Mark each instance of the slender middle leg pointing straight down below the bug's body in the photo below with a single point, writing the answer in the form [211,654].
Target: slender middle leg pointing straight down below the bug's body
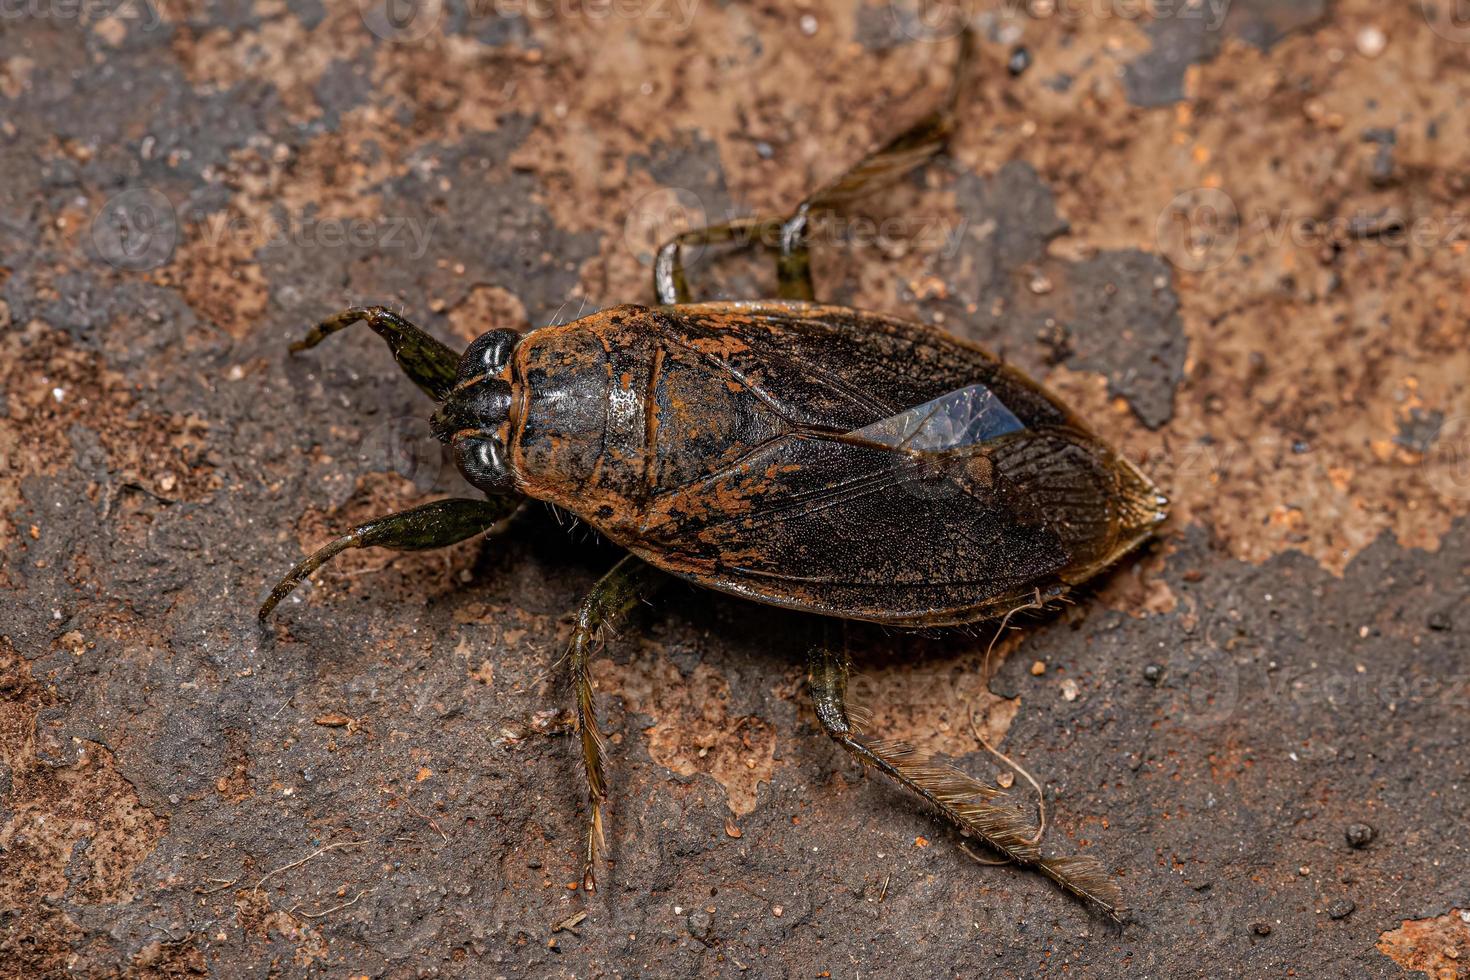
[615,596]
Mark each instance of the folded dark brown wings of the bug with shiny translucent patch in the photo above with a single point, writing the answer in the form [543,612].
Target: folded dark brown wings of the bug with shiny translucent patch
[828,493]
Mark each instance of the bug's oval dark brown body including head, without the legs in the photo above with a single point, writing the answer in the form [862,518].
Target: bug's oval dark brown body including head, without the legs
[806,456]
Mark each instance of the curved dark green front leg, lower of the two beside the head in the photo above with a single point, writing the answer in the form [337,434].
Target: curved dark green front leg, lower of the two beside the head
[437,525]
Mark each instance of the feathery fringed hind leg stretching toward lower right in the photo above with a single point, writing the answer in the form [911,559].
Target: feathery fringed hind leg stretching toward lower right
[974,807]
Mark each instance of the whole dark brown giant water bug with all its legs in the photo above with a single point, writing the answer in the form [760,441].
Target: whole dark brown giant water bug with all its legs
[806,456]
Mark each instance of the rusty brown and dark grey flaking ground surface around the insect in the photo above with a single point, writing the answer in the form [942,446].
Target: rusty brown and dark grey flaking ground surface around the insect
[1234,236]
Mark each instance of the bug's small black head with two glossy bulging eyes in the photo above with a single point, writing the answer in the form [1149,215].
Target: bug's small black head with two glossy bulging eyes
[474,419]
